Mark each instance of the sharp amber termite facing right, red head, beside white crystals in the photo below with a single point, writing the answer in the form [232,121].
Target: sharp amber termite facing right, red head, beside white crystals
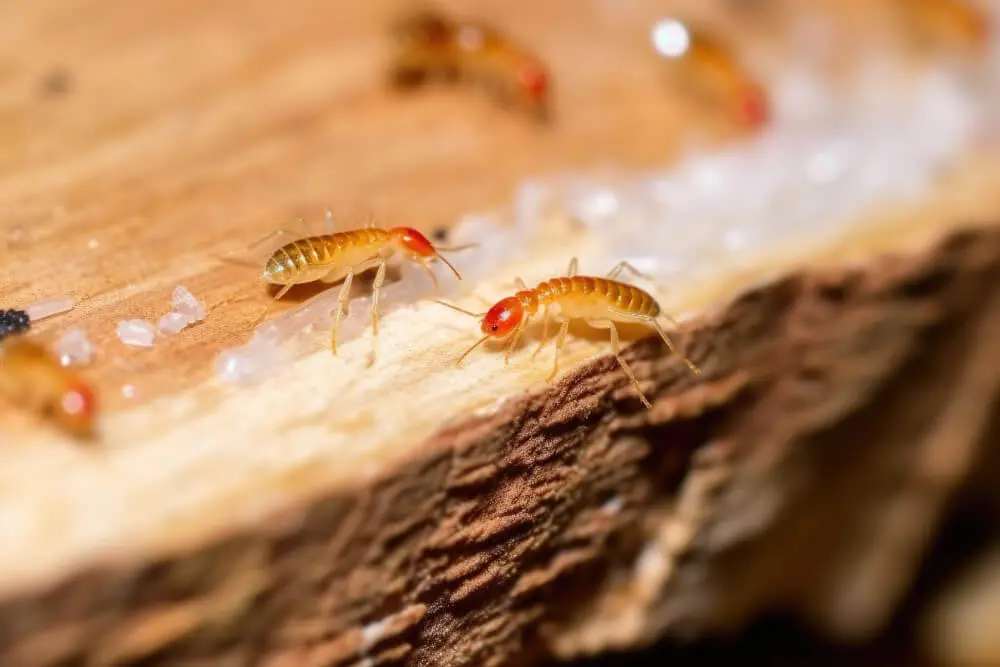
[340,256]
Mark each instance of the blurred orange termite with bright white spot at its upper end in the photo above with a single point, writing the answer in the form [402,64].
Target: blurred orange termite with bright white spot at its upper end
[711,72]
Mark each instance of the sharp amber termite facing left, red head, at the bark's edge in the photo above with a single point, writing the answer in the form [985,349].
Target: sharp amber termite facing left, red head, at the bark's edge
[602,302]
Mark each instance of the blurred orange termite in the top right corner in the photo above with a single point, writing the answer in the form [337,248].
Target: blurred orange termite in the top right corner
[956,25]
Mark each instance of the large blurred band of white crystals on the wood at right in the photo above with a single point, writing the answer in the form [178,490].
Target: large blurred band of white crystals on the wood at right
[802,180]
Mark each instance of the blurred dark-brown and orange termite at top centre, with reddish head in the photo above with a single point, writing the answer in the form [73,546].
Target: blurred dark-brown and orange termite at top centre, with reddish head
[428,45]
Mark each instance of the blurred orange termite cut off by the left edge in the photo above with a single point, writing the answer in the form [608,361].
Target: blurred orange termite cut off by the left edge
[32,377]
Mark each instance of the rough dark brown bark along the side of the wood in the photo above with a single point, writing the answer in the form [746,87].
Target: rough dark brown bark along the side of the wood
[839,412]
